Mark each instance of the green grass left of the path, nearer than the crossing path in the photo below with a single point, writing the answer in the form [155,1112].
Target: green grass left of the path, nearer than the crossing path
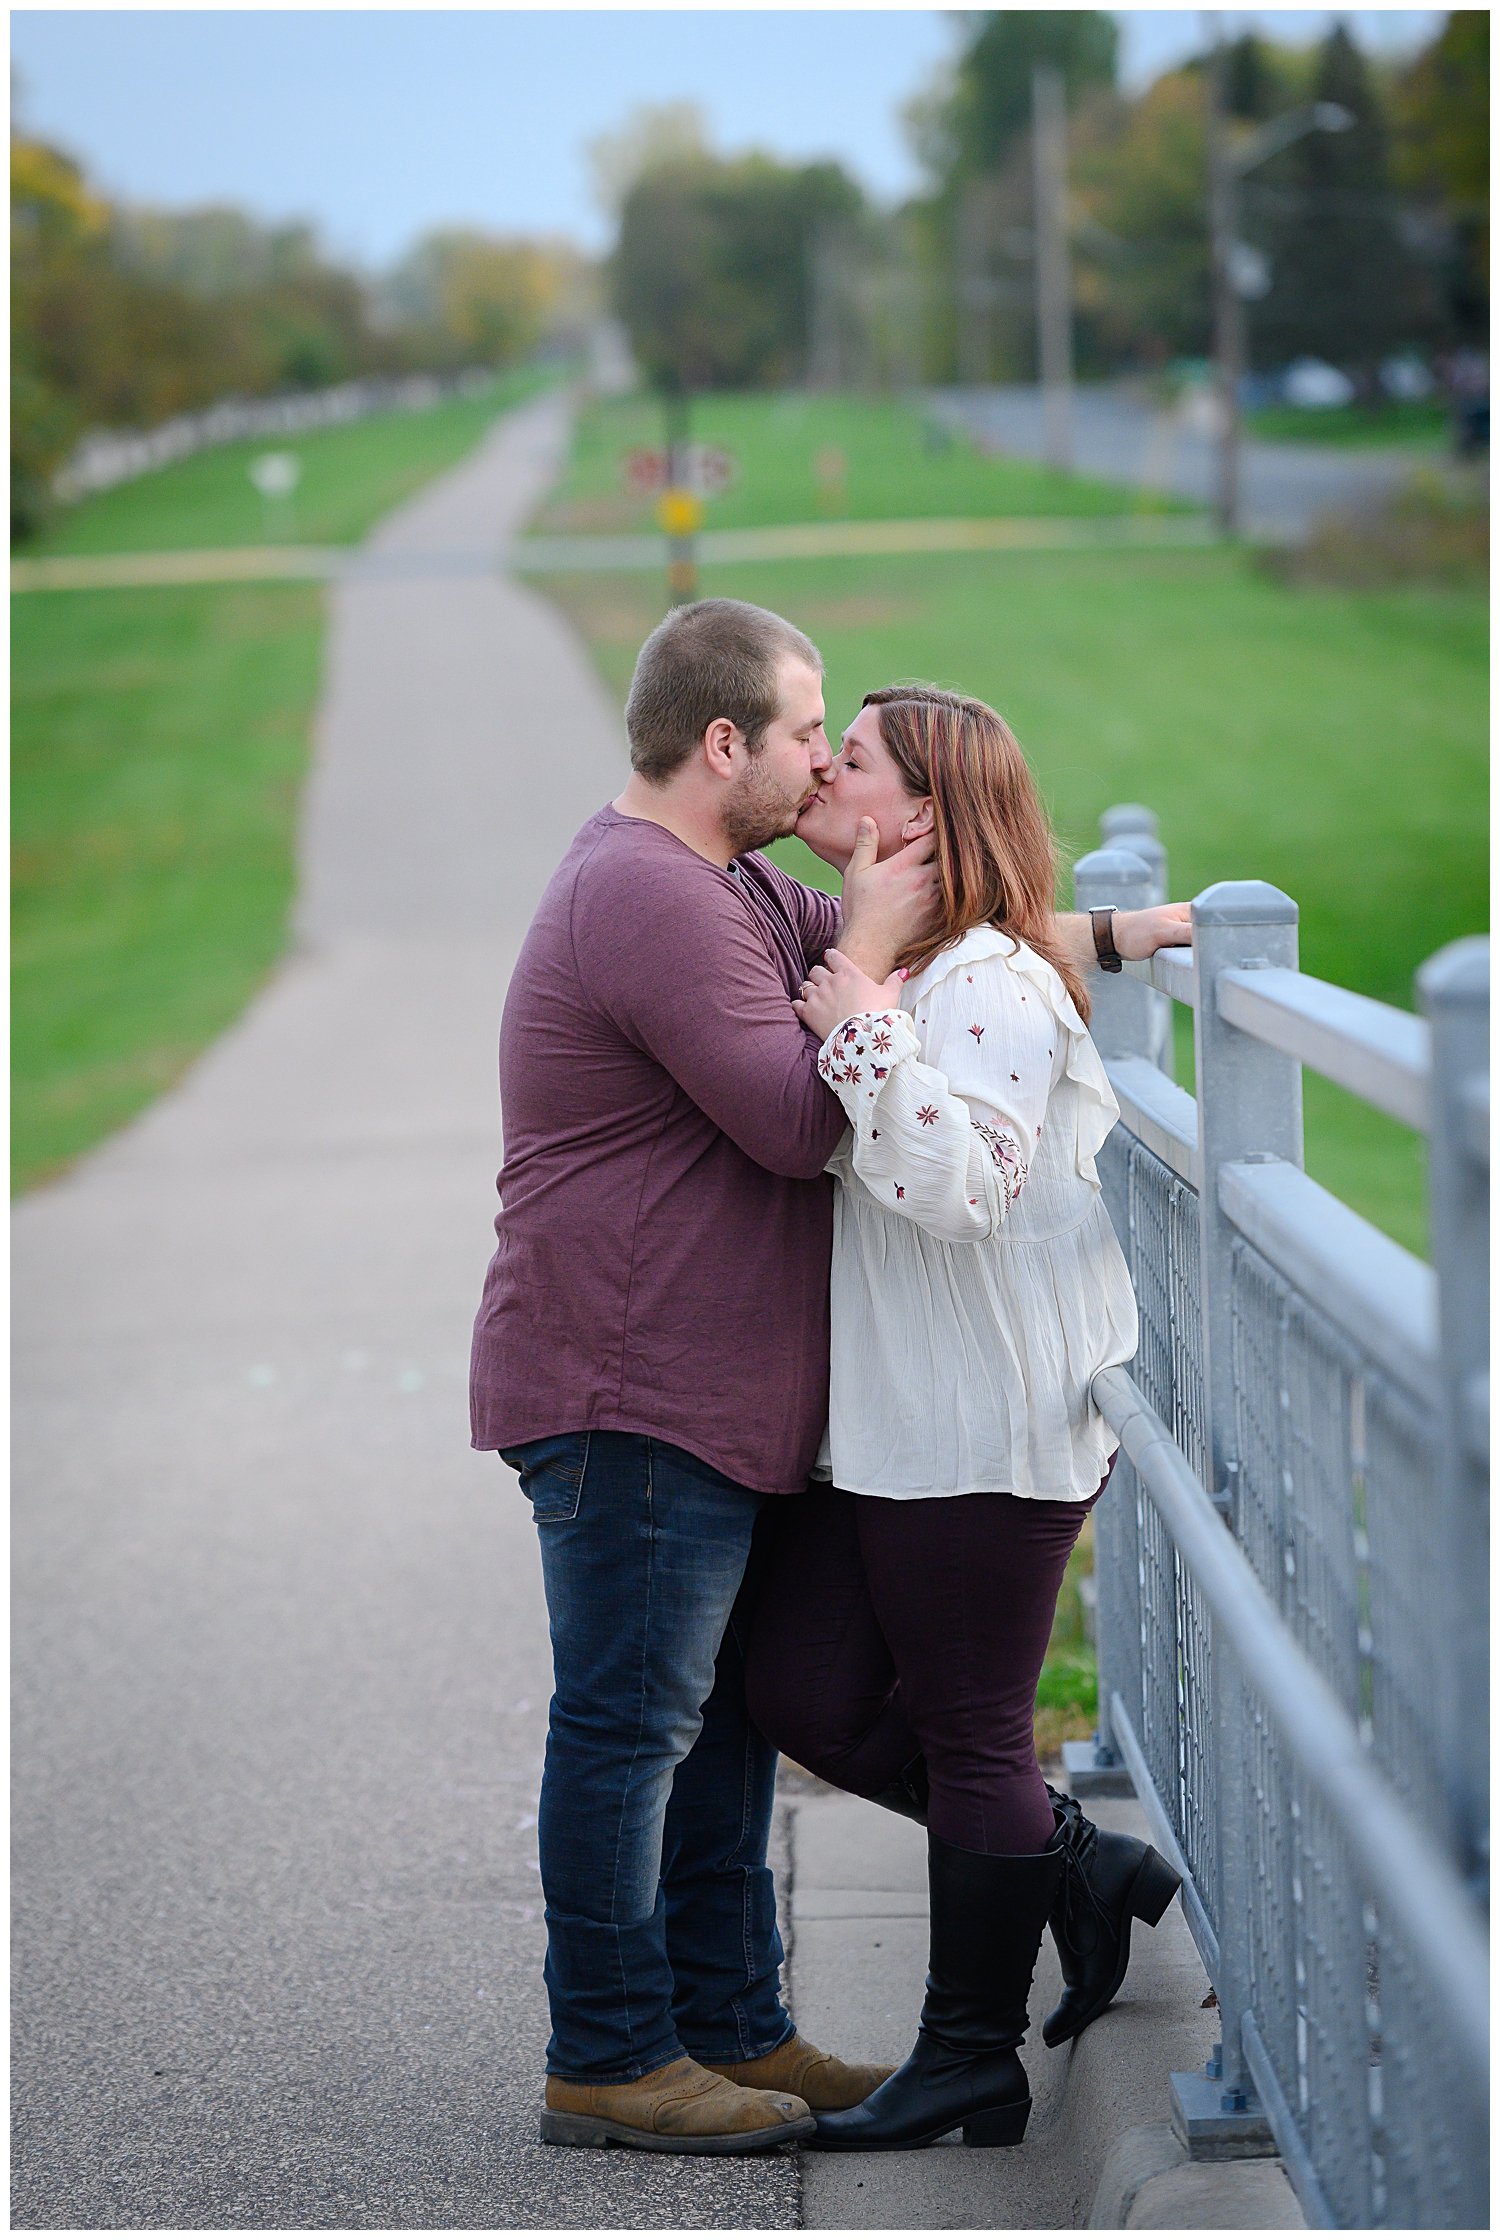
[160,745]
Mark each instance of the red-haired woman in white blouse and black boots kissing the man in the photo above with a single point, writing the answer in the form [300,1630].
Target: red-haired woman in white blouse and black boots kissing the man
[977,1287]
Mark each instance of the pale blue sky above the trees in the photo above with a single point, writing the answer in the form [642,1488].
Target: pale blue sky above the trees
[382,124]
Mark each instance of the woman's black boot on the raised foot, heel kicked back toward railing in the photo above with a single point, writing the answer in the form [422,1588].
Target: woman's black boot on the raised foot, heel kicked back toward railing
[1112,1880]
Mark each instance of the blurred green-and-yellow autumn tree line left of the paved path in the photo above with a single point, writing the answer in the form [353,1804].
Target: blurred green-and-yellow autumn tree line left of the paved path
[126,317]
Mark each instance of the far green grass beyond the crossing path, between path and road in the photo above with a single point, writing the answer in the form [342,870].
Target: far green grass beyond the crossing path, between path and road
[897,467]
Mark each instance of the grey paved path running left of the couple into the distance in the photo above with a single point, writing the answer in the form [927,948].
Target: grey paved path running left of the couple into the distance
[279,1652]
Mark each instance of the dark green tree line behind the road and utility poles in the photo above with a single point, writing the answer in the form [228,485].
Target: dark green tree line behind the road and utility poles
[1371,241]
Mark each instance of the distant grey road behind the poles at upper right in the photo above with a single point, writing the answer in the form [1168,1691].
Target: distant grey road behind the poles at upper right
[1125,440]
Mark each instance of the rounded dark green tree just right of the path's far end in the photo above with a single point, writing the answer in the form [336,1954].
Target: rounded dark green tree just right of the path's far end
[713,268]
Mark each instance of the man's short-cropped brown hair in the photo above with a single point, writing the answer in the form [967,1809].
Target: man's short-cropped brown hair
[720,657]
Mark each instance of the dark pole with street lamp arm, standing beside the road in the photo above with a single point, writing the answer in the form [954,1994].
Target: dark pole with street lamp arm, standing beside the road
[1239,274]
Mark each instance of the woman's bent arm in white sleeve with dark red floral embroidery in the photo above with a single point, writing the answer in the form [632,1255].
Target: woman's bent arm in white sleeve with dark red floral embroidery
[946,1148]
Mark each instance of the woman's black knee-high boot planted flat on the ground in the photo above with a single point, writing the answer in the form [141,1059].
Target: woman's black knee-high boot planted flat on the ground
[986,1928]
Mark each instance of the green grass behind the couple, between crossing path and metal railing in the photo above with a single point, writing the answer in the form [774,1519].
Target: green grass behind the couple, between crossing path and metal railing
[1329,743]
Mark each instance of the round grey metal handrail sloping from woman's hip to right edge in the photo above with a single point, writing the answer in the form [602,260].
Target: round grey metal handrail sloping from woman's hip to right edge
[1407,1872]
